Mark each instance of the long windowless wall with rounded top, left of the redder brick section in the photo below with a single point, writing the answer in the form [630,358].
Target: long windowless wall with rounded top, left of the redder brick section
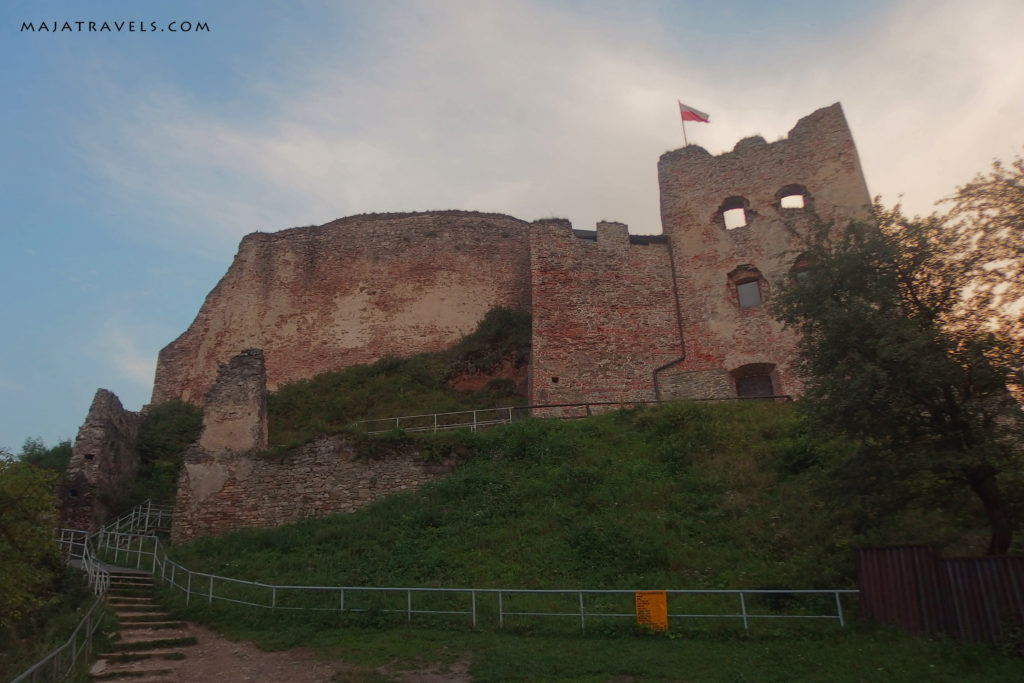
[350,292]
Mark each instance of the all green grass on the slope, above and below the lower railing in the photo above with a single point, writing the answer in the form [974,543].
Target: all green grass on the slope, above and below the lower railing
[678,496]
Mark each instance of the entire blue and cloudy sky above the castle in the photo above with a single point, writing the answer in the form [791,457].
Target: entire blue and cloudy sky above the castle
[133,163]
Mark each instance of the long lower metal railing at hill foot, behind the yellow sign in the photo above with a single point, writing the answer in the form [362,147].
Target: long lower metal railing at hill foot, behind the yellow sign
[500,606]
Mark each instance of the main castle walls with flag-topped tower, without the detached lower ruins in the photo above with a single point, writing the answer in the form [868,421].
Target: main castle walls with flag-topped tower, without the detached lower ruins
[616,317]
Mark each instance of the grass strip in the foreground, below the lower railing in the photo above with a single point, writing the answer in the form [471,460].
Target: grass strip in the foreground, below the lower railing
[860,654]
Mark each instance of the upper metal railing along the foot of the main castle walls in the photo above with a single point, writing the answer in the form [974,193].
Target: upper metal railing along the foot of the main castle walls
[490,417]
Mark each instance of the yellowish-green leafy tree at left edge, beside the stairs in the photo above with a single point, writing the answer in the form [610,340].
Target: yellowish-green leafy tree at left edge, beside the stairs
[30,561]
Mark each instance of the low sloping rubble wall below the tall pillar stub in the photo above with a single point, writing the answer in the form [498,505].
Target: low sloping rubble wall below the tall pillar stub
[218,494]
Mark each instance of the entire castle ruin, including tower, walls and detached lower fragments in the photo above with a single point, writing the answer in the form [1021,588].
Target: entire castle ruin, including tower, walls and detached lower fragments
[616,318]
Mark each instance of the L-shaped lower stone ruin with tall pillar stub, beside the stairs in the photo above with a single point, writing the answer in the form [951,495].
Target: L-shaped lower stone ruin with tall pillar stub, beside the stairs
[226,482]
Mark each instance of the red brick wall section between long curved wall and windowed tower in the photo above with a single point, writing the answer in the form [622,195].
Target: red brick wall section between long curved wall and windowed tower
[605,314]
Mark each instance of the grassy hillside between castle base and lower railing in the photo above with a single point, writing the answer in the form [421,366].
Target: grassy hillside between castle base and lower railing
[676,496]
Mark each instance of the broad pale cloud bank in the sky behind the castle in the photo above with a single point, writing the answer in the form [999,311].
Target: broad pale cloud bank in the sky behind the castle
[534,111]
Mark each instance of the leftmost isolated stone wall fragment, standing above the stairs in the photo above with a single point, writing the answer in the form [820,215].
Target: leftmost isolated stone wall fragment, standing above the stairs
[104,463]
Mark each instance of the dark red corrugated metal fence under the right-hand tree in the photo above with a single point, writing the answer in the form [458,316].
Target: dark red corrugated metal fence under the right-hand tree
[914,588]
